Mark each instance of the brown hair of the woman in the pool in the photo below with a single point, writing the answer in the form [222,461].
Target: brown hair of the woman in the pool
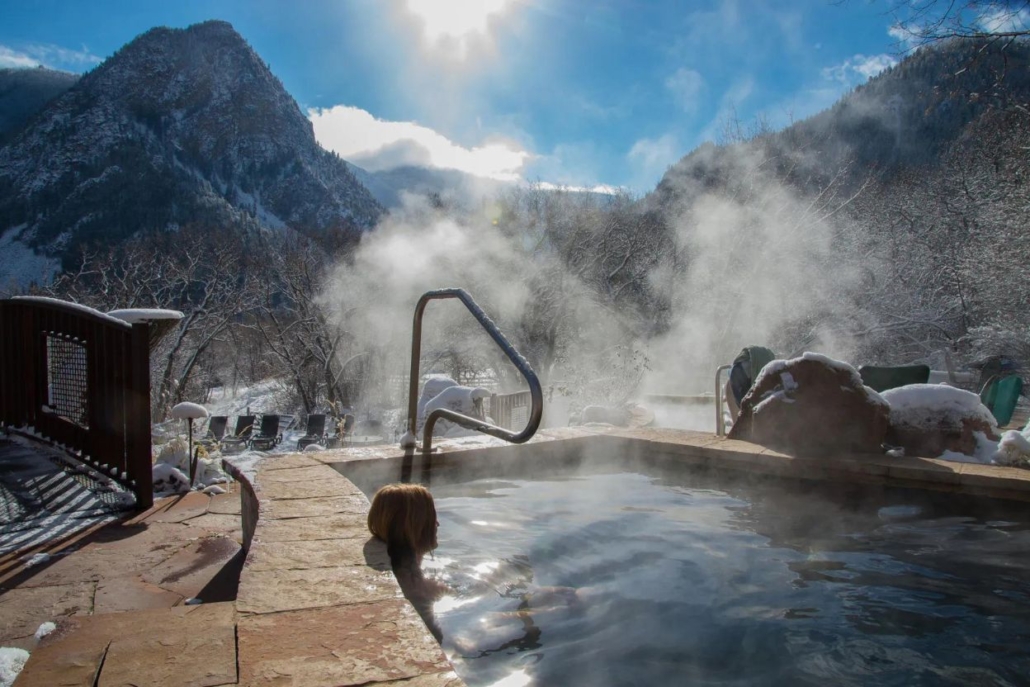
[405,516]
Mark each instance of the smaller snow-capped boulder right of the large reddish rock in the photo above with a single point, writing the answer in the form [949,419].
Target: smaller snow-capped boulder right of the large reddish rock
[934,420]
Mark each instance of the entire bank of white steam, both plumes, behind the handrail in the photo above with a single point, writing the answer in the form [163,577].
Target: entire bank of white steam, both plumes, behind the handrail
[750,264]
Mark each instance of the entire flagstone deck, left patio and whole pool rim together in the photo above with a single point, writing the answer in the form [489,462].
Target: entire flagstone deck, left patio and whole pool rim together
[317,604]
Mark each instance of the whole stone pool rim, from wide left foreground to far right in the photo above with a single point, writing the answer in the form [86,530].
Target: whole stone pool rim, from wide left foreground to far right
[319,605]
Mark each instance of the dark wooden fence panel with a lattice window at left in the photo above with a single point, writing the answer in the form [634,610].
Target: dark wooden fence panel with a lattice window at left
[82,380]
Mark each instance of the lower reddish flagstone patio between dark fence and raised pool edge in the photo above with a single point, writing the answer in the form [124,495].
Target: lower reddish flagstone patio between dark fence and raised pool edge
[157,560]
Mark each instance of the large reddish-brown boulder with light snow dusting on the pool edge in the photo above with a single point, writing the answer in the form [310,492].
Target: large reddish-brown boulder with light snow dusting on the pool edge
[813,406]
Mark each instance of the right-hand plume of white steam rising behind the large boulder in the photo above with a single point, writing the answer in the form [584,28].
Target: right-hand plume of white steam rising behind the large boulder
[762,269]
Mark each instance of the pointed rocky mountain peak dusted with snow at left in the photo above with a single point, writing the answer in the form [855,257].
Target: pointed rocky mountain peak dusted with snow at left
[179,127]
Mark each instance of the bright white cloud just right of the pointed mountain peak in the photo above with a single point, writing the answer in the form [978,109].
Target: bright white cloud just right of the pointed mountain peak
[379,145]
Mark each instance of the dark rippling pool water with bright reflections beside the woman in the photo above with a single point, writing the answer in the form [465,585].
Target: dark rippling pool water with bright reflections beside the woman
[624,579]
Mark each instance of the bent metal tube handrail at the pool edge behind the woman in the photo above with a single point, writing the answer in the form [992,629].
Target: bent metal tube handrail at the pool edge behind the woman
[475,424]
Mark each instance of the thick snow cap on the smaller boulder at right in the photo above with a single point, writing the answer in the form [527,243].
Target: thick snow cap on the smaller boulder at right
[930,406]
